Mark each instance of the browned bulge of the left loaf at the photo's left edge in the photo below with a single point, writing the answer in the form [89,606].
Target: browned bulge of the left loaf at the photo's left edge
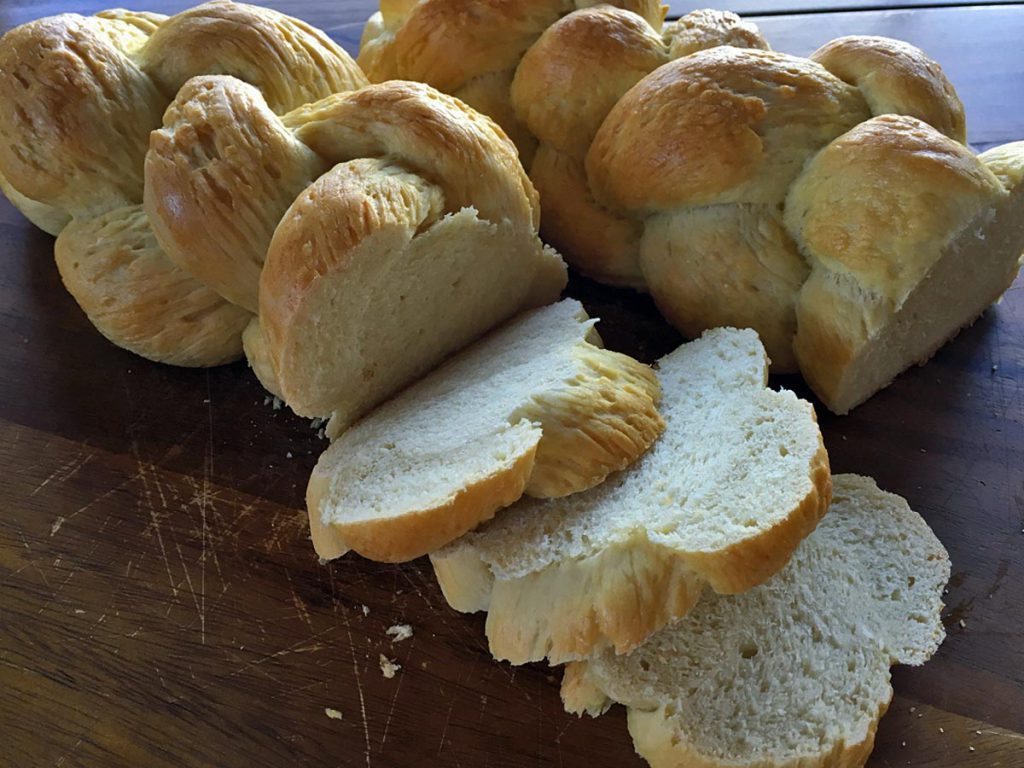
[77,113]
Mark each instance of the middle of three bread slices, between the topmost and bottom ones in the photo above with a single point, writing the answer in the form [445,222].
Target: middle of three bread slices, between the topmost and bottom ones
[737,481]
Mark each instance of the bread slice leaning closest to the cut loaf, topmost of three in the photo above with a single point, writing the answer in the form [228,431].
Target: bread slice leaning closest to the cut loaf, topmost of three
[533,408]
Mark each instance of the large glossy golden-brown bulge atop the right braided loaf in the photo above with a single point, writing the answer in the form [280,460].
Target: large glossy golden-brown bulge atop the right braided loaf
[722,125]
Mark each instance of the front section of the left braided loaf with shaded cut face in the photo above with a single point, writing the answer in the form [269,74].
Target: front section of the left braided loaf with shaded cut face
[380,231]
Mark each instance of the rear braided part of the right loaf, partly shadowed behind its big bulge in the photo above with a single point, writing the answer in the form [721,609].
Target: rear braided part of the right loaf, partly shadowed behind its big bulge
[548,71]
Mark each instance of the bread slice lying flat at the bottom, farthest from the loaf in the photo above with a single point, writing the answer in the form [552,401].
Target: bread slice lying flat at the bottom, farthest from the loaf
[796,672]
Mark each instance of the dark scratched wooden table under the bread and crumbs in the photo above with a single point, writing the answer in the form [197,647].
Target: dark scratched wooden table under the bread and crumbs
[161,604]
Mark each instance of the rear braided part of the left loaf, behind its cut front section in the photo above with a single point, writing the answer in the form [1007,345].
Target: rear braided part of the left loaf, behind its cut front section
[79,97]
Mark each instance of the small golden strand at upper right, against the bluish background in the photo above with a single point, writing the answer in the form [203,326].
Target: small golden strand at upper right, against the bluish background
[897,78]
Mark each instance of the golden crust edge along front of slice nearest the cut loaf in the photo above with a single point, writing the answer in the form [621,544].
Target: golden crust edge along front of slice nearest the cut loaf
[407,537]
